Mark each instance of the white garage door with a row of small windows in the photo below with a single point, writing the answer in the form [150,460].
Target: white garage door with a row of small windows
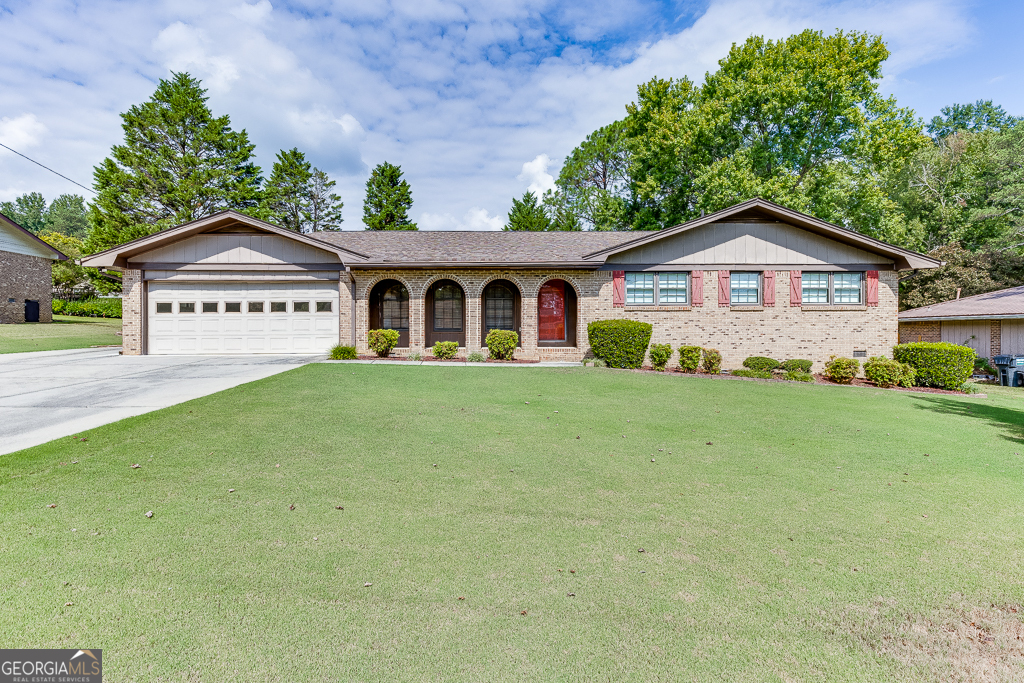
[243,318]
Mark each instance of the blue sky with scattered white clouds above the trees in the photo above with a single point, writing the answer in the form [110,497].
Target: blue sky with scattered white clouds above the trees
[477,102]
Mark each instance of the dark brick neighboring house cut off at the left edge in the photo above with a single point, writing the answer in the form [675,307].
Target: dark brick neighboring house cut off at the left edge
[26,285]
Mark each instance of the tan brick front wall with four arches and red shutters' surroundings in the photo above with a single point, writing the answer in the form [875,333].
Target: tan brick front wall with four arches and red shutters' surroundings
[781,331]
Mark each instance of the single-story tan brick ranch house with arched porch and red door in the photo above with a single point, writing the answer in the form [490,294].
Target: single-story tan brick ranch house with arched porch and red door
[753,280]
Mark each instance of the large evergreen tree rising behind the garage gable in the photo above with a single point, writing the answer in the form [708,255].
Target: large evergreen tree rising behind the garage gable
[179,163]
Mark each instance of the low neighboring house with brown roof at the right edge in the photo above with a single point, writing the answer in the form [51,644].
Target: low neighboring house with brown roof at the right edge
[991,324]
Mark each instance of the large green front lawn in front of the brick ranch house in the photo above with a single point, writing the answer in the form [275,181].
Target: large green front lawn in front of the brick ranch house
[789,533]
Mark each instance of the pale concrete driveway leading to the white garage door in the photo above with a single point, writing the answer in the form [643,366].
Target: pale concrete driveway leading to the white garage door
[49,395]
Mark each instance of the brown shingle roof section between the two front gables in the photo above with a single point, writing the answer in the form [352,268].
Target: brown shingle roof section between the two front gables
[476,247]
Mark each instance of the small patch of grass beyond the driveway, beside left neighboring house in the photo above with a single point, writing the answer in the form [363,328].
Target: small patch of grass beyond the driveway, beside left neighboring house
[65,332]
